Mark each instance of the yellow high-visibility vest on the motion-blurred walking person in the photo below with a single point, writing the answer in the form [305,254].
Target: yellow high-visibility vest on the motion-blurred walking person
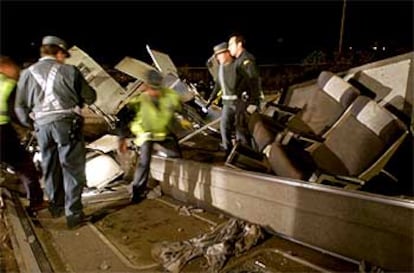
[152,122]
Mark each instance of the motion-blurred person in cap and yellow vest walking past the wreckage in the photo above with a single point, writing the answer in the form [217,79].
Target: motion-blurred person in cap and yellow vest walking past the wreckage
[150,117]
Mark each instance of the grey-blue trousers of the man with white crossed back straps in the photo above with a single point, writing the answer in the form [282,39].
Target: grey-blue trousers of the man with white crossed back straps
[63,154]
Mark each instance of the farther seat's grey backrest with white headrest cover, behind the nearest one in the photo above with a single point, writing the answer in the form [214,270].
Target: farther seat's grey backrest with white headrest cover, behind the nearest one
[327,104]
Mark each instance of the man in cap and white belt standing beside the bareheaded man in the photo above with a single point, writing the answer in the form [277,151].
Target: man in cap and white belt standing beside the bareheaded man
[226,82]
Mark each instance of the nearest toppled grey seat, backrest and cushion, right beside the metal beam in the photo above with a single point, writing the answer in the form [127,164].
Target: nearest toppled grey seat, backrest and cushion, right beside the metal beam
[358,146]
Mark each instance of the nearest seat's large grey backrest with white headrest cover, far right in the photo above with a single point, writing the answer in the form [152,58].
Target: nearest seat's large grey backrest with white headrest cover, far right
[361,142]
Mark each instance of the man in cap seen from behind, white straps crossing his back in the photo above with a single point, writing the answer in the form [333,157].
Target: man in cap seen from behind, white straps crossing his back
[50,95]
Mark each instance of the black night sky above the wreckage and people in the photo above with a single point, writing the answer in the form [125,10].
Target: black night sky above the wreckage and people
[276,31]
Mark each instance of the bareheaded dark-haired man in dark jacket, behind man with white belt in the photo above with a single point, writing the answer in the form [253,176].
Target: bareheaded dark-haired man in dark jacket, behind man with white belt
[248,81]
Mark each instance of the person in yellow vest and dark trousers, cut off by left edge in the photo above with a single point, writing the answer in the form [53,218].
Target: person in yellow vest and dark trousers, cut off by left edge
[11,151]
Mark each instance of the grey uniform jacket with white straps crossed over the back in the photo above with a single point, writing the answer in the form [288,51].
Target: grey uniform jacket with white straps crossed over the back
[67,92]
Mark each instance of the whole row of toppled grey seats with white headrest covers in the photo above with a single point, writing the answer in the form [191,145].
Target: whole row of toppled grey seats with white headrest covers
[338,135]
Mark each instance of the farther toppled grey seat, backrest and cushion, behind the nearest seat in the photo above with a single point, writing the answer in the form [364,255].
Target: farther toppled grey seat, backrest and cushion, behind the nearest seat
[323,109]
